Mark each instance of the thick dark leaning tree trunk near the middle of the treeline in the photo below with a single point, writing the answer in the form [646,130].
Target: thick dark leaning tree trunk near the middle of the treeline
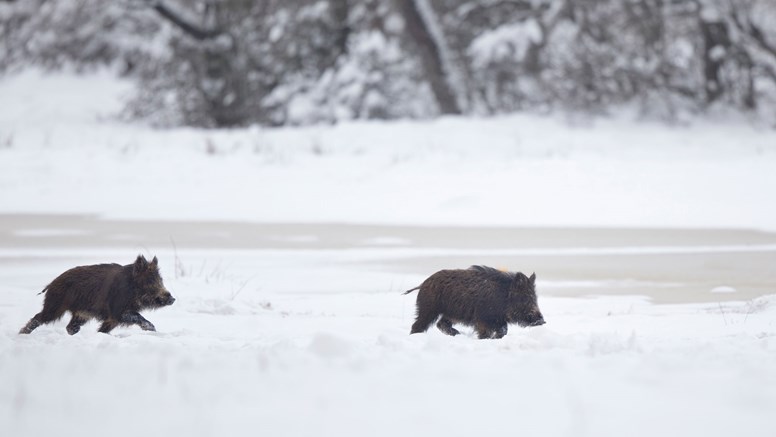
[430,57]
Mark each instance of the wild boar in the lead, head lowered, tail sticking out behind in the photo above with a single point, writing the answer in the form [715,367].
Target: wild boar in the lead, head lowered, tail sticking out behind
[482,297]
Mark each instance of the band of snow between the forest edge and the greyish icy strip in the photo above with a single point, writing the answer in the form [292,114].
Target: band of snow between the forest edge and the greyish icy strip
[517,171]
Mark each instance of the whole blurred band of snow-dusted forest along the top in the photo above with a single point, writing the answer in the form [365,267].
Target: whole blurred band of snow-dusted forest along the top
[222,63]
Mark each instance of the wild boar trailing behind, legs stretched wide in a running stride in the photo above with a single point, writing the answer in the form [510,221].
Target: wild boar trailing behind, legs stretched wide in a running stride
[111,293]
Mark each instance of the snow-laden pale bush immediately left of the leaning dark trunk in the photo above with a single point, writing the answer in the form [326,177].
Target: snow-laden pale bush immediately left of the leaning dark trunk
[372,78]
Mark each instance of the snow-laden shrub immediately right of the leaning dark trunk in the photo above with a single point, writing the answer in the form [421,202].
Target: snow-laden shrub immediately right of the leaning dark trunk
[502,45]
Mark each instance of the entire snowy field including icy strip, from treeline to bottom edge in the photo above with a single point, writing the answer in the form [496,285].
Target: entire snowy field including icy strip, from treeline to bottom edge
[288,251]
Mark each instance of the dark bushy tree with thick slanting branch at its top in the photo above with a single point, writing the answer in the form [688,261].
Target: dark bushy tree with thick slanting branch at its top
[205,76]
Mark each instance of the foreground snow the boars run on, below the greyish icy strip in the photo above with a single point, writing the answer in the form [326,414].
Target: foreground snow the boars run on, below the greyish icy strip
[315,345]
